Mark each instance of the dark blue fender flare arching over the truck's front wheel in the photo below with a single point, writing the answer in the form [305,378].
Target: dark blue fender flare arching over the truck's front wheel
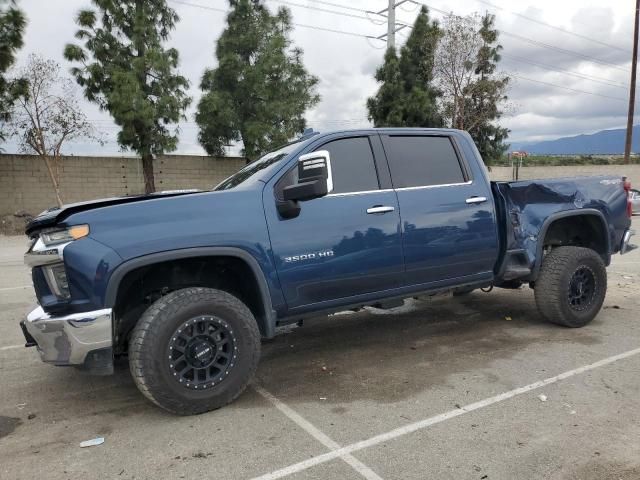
[267,323]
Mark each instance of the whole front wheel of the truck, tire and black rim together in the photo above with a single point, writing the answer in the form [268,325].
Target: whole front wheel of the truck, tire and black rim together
[194,350]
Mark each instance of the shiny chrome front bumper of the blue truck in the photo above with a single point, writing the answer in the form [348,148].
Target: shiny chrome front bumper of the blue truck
[81,339]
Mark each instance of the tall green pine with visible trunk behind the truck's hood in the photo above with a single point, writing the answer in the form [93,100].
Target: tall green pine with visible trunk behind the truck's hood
[127,71]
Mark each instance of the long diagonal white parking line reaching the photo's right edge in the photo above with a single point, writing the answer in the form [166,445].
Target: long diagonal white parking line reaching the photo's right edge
[412,427]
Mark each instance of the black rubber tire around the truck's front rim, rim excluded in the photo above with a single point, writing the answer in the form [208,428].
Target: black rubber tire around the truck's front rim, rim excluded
[153,333]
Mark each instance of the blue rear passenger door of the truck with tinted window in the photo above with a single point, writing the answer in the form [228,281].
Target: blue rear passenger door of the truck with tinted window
[448,226]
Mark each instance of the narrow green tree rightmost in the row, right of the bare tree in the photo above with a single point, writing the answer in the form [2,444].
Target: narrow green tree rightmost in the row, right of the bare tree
[488,92]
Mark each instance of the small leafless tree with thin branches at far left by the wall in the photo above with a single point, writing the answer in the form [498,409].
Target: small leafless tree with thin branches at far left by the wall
[48,116]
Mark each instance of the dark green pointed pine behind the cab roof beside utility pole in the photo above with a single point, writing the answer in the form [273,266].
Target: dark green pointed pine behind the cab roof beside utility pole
[406,96]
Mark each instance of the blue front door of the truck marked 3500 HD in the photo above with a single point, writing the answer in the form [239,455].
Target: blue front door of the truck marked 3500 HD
[344,245]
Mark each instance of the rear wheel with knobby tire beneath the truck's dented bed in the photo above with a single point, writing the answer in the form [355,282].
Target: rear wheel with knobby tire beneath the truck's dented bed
[554,292]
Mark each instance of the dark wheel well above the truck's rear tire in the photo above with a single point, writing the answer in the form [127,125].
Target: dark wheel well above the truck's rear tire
[578,231]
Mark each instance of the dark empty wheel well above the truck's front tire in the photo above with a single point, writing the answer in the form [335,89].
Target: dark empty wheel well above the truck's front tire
[142,286]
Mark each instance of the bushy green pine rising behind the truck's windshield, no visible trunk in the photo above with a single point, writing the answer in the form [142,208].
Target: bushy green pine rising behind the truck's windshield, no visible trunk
[260,90]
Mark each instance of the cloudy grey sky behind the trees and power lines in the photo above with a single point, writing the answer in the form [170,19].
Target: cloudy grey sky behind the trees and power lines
[542,40]
